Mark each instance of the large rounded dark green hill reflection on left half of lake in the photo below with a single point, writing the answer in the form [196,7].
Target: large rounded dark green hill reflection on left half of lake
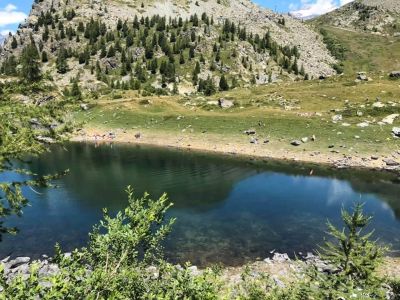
[98,176]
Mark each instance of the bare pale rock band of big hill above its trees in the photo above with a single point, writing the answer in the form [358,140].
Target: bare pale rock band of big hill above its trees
[314,55]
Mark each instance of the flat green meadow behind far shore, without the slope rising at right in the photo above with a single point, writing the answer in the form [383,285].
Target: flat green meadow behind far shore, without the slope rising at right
[259,108]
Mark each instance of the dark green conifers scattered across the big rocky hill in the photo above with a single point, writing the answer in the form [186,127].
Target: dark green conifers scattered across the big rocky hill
[149,49]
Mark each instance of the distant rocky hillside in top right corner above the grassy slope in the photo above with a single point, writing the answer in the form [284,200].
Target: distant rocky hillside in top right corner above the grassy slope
[381,17]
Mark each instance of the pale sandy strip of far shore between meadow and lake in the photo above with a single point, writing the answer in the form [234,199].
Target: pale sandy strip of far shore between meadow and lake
[218,145]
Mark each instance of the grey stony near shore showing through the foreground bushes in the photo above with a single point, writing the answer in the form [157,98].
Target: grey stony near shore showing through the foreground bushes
[279,266]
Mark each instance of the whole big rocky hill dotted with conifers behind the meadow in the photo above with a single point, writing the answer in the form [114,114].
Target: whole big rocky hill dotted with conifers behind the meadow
[167,46]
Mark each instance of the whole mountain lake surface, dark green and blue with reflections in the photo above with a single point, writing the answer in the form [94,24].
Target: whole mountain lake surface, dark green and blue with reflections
[228,211]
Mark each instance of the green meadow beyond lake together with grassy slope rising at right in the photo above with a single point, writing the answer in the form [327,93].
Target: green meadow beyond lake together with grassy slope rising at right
[263,108]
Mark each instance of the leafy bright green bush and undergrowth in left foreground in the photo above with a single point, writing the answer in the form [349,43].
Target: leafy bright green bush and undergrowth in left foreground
[123,260]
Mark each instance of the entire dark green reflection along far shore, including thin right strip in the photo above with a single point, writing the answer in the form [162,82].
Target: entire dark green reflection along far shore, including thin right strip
[99,175]
